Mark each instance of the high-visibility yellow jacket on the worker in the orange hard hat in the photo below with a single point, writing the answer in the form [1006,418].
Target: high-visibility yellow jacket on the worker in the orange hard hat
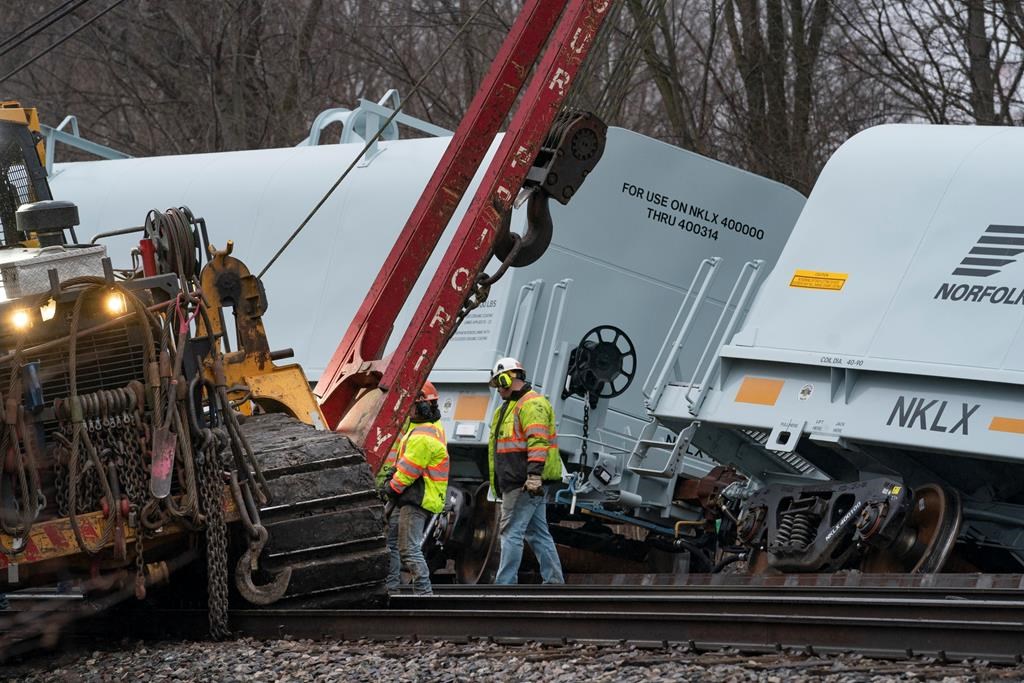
[422,467]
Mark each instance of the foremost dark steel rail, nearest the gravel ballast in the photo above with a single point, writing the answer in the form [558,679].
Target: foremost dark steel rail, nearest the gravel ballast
[881,636]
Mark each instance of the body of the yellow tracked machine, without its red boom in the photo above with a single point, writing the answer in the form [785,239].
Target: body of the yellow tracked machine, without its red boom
[138,426]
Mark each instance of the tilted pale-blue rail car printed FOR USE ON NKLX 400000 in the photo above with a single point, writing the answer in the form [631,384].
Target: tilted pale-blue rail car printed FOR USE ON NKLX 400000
[625,250]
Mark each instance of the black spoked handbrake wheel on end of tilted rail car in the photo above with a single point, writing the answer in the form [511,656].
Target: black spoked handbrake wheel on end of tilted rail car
[603,366]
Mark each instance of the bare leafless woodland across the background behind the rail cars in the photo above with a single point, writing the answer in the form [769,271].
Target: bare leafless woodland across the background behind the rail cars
[774,87]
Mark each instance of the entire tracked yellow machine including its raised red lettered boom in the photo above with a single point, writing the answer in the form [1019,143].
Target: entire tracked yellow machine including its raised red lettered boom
[138,429]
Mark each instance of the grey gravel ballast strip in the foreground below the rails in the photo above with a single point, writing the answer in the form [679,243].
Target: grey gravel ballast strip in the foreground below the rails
[248,660]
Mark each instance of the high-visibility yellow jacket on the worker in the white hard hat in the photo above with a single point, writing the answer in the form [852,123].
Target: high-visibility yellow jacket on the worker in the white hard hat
[523,443]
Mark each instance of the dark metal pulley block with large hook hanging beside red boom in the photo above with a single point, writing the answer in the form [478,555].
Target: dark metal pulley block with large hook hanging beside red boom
[571,152]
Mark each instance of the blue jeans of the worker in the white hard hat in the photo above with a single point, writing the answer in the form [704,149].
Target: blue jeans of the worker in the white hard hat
[526,518]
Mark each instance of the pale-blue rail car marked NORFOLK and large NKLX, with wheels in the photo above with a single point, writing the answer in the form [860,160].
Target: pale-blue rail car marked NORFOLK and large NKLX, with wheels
[886,349]
